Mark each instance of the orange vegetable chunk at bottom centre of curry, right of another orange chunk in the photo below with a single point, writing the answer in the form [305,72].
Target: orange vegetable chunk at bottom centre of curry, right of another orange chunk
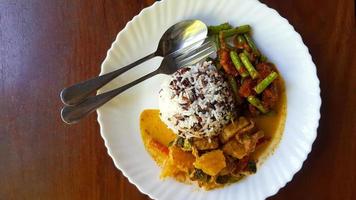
[211,163]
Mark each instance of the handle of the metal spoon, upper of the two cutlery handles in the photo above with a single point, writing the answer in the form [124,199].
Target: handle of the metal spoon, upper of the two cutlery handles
[77,93]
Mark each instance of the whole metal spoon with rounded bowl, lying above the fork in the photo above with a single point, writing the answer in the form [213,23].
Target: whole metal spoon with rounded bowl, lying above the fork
[178,36]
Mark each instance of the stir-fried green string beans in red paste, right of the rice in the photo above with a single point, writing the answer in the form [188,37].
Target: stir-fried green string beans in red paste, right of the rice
[244,65]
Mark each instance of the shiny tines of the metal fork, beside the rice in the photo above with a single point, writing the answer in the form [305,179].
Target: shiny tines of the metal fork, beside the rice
[197,55]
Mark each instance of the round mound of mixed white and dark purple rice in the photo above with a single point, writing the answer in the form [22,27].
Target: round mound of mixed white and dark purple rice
[196,101]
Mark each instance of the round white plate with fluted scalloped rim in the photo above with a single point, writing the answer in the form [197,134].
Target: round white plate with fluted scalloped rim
[119,119]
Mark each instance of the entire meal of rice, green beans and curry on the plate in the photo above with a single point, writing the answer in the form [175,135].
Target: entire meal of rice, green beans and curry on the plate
[217,119]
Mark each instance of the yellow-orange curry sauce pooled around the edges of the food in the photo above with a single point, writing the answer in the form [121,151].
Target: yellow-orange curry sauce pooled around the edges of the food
[157,137]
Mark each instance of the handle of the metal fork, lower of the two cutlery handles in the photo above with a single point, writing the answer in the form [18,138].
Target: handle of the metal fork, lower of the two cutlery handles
[72,114]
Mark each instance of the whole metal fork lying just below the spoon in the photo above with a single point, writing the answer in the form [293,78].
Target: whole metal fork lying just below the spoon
[169,65]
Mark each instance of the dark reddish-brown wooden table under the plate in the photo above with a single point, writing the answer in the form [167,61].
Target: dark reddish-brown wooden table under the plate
[47,45]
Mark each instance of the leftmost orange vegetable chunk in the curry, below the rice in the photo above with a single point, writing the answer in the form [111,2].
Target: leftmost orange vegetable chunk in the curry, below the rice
[181,159]
